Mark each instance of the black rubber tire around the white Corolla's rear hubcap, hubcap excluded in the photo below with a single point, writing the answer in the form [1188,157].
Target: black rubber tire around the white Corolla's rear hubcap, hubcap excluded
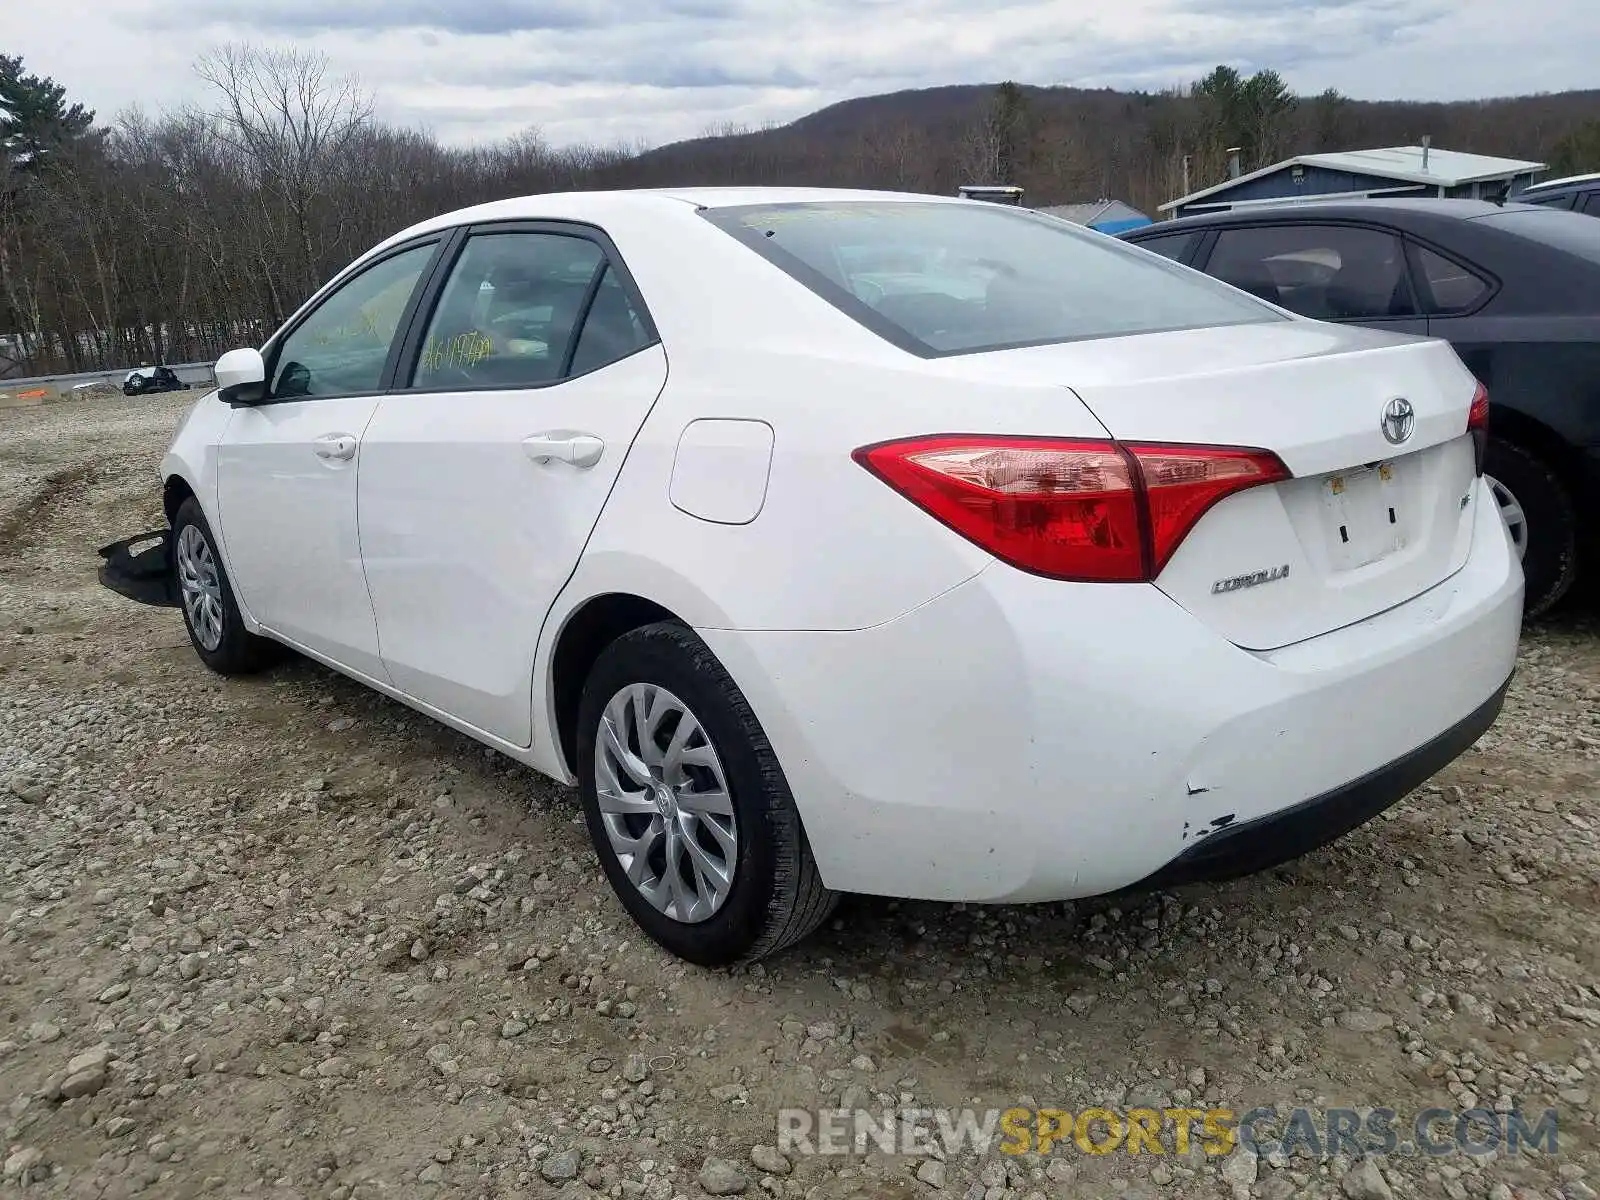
[666,657]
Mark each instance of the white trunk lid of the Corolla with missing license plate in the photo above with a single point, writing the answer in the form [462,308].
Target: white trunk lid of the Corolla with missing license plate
[1366,524]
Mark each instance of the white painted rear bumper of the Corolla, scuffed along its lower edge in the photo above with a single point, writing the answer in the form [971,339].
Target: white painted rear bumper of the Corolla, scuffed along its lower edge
[1023,740]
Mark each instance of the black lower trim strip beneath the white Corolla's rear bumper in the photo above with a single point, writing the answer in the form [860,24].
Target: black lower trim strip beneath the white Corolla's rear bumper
[1284,836]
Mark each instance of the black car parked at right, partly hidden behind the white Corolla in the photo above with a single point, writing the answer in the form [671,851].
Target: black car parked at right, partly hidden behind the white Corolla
[1514,289]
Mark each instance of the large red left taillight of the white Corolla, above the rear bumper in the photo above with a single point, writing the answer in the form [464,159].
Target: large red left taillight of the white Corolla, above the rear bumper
[1090,511]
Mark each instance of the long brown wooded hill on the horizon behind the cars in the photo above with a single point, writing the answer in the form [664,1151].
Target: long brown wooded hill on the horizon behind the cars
[1068,145]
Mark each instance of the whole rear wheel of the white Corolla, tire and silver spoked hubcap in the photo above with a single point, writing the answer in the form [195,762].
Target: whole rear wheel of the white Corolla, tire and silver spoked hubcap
[774,895]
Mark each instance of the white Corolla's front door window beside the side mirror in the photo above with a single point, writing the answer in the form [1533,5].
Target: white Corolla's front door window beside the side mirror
[343,346]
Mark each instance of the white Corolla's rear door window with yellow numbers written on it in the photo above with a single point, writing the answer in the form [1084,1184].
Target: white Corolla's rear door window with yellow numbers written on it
[510,313]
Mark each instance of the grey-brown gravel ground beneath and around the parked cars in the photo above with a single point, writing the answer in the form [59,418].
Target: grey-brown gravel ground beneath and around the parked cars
[286,938]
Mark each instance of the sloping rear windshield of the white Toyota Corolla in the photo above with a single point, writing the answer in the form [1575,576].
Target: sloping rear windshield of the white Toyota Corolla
[942,279]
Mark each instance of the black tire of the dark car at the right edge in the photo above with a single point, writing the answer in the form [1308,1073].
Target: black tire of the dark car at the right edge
[1550,522]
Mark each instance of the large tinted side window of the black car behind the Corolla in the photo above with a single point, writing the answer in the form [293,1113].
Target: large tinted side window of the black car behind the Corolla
[1327,273]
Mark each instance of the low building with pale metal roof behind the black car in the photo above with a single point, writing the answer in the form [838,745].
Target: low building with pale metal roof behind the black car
[1398,170]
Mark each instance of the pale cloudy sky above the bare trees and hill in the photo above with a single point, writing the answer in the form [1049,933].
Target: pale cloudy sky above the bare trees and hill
[654,71]
